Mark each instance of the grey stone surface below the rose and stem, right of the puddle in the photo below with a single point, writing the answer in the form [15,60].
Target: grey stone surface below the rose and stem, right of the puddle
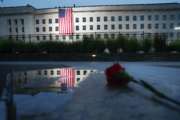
[93,100]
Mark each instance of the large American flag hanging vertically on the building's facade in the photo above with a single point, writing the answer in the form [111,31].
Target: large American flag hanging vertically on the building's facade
[65,21]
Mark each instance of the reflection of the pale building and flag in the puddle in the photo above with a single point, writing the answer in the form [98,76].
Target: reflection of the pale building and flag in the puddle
[51,77]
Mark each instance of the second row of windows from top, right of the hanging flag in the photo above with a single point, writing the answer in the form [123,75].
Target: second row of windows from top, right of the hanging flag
[127,26]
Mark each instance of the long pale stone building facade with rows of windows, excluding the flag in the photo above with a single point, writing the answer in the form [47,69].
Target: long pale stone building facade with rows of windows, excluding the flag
[101,21]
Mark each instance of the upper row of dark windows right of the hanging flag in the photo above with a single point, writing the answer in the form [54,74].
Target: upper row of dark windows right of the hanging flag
[128,18]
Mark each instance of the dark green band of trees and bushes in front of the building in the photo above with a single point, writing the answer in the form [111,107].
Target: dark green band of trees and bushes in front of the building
[92,45]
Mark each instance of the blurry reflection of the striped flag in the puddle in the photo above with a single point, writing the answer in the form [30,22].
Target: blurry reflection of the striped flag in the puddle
[67,76]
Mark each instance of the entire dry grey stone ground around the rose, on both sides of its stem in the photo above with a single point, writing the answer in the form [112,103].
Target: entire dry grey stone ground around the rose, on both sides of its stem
[92,100]
